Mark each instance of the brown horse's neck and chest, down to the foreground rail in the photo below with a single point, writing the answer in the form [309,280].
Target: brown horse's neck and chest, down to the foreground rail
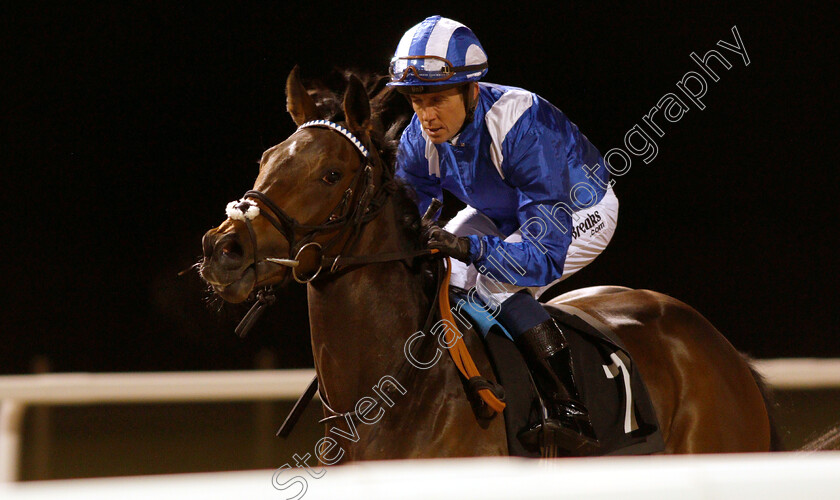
[360,322]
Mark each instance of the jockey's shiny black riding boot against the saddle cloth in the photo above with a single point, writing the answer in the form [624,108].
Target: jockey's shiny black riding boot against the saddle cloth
[567,425]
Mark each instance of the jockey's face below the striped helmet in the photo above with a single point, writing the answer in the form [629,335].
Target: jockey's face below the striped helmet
[440,113]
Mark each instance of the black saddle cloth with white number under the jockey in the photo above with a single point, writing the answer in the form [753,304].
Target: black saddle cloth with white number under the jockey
[611,388]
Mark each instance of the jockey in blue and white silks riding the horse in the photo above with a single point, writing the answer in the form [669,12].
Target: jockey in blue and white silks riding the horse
[540,204]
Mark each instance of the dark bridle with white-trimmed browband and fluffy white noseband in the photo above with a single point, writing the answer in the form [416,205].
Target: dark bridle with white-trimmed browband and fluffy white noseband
[345,220]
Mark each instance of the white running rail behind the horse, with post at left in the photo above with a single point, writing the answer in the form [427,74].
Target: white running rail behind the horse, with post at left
[19,391]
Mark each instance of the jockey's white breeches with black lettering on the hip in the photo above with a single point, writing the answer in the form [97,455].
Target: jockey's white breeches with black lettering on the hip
[586,245]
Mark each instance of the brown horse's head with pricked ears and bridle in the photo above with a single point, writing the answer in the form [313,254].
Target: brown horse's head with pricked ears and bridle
[311,193]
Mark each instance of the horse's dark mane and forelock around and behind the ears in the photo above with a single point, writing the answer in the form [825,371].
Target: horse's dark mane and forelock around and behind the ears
[390,114]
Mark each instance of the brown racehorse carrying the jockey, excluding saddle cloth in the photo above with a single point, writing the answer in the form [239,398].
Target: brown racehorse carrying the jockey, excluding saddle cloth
[326,210]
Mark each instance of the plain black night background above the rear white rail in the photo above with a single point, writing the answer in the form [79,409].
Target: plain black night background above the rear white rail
[129,127]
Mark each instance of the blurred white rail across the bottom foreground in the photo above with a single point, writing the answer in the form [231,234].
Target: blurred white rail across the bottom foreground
[699,477]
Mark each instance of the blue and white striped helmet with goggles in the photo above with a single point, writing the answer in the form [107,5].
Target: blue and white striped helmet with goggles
[437,52]
